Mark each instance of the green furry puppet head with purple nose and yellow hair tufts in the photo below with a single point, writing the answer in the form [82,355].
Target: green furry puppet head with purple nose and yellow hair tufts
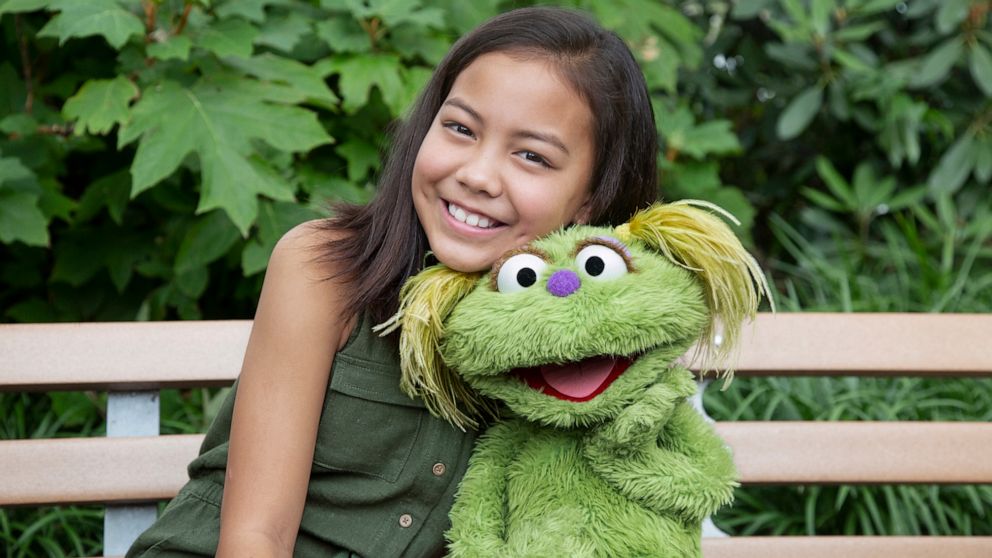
[568,329]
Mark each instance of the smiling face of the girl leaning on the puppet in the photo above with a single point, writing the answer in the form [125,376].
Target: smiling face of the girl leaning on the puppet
[508,159]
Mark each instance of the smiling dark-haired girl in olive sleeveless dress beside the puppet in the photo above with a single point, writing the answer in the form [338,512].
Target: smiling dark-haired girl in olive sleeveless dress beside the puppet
[537,119]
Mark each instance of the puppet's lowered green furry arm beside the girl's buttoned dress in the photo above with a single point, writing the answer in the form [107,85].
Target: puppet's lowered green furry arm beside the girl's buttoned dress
[478,517]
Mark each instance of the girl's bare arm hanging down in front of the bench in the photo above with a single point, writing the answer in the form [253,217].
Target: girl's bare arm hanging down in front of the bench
[297,329]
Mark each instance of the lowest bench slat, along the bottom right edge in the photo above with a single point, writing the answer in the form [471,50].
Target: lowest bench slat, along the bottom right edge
[848,547]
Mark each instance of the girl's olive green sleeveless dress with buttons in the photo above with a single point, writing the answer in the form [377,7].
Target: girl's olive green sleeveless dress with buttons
[384,470]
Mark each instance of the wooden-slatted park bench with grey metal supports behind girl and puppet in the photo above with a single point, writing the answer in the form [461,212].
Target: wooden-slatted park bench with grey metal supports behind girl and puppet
[133,468]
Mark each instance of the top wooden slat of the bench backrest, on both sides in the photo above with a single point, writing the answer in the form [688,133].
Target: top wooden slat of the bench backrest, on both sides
[147,355]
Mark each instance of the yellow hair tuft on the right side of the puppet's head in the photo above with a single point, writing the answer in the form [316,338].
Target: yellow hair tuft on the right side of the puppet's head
[701,242]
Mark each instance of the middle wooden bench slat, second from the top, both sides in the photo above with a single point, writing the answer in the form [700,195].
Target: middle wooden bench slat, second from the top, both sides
[151,468]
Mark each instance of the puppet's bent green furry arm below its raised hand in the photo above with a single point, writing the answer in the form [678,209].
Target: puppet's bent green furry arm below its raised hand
[688,473]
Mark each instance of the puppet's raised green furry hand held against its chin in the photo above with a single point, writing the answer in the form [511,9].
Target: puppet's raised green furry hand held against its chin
[636,428]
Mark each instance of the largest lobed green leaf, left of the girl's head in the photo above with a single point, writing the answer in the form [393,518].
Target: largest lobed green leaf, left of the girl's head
[174,121]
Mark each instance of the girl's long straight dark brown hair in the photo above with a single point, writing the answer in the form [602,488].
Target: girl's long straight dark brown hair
[385,243]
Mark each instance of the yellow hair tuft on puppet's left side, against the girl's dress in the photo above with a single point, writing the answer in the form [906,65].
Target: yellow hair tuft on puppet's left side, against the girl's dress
[426,299]
